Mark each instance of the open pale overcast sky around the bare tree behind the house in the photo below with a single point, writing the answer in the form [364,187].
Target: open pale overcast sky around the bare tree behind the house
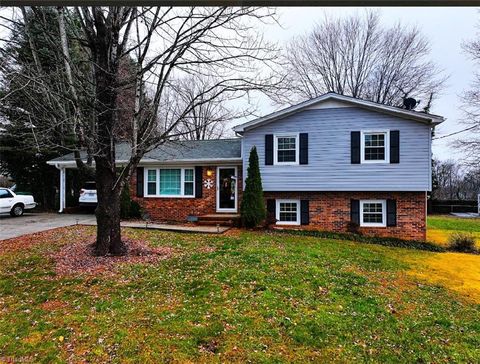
[445,28]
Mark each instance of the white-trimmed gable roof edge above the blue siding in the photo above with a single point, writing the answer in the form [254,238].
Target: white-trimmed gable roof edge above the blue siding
[333,100]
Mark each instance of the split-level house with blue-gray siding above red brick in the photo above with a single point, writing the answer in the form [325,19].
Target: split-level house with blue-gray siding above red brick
[332,163]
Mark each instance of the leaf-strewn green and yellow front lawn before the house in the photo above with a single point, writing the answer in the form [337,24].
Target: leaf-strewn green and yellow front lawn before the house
[245,296]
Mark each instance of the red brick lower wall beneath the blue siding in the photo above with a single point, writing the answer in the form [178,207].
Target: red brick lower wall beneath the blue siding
[330,211]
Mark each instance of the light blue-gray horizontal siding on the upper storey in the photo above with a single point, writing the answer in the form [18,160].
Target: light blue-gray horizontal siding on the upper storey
[329,166]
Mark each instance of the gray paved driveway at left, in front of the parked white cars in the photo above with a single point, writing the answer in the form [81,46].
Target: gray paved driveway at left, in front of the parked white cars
[12,227]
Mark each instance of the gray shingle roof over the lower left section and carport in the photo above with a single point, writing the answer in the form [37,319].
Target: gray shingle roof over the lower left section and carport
[178,151]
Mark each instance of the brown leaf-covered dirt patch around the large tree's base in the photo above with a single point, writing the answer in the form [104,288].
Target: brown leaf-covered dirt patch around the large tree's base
[78,257]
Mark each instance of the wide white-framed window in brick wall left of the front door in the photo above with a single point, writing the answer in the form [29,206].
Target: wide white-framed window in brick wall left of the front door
[170,182]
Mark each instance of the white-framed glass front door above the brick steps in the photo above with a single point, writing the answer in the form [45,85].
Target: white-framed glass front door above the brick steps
[227,189]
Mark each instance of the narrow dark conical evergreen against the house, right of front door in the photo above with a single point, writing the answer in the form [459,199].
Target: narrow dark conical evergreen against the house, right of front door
[253,206]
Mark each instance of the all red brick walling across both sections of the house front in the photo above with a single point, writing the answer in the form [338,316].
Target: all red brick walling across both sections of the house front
[329,211]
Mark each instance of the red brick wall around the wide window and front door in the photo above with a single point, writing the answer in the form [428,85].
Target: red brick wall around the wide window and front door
[168,209]
